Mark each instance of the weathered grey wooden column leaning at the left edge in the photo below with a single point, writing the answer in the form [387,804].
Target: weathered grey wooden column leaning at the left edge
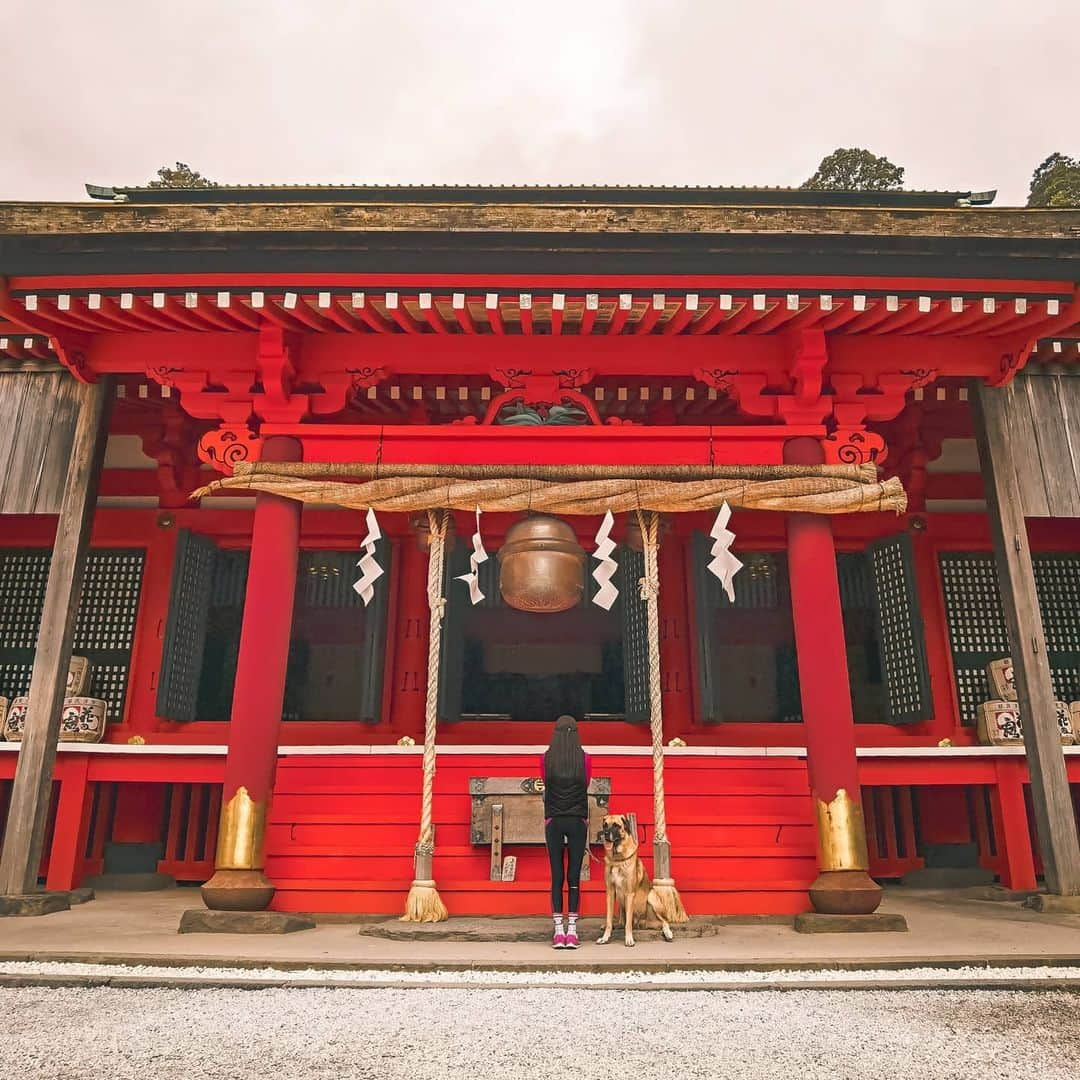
[34,775]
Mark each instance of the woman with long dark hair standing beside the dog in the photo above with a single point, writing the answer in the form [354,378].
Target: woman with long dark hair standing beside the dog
[566,771]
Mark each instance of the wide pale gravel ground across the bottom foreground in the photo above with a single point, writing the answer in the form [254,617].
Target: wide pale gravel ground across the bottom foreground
[490,1035]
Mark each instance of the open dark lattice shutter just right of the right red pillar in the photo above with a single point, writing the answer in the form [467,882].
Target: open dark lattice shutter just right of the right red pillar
[900,630]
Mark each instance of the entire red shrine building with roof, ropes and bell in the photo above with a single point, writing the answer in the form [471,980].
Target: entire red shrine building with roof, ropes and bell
[256,443]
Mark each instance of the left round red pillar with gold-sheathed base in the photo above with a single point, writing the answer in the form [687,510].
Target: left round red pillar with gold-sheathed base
[239,882]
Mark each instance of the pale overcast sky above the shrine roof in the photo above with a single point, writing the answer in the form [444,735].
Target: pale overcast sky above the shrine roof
[965,96]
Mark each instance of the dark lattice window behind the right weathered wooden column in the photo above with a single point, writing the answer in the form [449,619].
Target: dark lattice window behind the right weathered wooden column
[977,624]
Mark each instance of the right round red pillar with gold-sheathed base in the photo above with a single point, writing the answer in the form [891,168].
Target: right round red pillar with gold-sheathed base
[844,885]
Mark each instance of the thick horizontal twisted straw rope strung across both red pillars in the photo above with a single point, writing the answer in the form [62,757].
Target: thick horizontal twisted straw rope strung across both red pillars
[813,494]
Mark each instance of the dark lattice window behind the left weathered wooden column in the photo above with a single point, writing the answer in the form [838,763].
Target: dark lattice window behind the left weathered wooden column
[105,625]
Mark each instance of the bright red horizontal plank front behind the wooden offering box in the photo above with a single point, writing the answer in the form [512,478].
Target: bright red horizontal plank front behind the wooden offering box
[342,833]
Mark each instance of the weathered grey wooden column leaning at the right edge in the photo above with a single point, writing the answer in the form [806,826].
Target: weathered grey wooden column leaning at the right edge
[1043,742]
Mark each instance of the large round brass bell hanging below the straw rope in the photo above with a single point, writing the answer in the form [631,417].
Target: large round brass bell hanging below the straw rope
[542,565]
